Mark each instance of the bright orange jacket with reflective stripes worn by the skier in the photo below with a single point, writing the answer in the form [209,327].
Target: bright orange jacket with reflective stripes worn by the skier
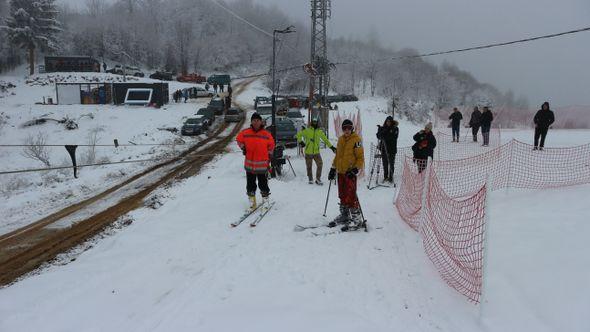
[258,144]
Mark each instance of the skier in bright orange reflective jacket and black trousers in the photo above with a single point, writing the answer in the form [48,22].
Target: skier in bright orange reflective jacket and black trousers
[256,144]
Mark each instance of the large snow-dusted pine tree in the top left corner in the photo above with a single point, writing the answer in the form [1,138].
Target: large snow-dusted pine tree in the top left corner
[33,24]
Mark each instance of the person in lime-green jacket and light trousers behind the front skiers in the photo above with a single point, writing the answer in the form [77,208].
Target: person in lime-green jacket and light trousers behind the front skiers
[309,139]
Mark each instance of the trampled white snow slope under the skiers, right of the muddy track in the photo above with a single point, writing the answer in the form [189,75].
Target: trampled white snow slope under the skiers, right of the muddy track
[182,268]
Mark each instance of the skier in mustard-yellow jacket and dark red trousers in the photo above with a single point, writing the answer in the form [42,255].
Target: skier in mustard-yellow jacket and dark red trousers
[348,161]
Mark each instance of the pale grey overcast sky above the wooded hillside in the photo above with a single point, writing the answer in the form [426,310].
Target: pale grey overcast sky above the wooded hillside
[557,70]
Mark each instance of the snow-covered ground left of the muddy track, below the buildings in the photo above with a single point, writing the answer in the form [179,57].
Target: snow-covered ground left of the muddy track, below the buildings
[30,196]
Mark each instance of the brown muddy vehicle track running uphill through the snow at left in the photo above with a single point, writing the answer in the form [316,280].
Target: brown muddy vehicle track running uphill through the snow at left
[25,249]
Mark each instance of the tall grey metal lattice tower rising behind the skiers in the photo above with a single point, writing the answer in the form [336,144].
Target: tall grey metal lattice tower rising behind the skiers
[321,11]
